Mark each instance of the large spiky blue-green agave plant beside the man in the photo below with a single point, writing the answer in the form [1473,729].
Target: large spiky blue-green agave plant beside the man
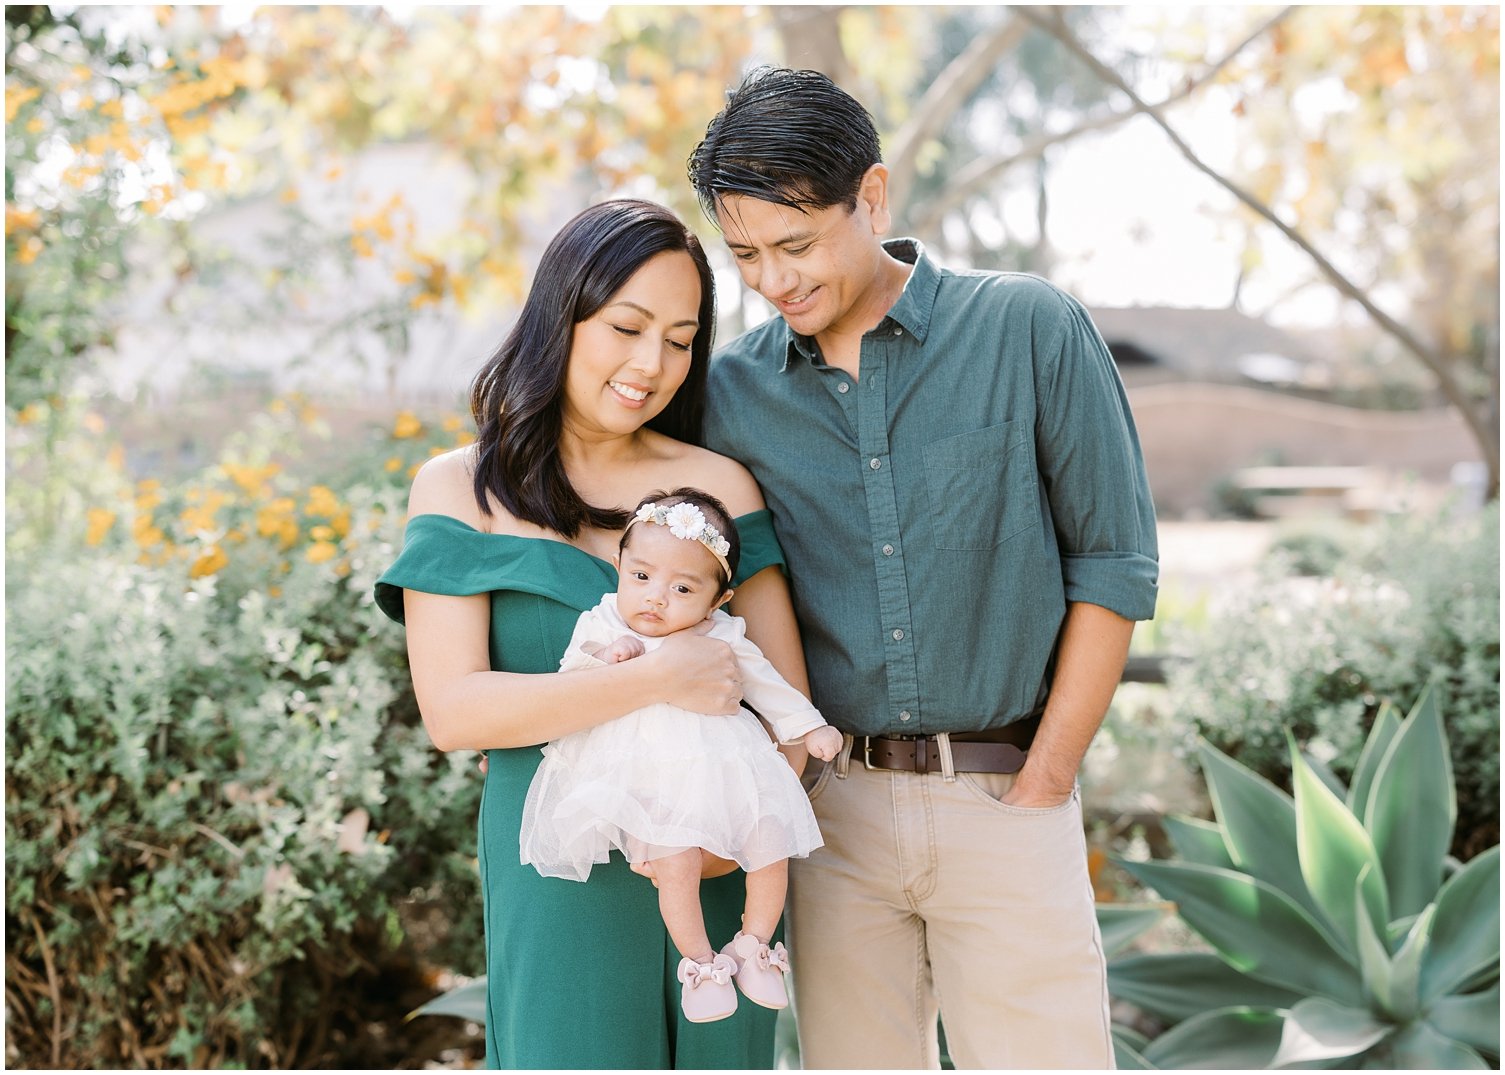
[1343,934]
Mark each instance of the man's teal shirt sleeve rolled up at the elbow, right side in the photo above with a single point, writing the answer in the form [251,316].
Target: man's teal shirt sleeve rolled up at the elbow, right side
[1093,472]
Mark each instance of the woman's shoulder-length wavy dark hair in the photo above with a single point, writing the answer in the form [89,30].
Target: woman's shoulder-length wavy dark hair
[517,398]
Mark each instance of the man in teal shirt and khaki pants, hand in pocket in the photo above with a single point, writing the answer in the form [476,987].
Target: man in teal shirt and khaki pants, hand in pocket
[959,492]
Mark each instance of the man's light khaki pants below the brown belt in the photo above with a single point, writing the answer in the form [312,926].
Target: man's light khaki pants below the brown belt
[931,895]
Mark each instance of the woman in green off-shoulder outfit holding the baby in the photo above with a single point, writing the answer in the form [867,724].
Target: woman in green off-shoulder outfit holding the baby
[594,400]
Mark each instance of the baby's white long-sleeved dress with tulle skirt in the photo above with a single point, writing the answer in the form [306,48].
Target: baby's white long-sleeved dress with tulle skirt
[663,779]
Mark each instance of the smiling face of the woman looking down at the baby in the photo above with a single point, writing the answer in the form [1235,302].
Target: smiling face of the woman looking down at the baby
[628,359]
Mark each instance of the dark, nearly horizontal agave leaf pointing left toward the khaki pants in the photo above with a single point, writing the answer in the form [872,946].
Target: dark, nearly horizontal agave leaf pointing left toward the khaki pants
[1179,985]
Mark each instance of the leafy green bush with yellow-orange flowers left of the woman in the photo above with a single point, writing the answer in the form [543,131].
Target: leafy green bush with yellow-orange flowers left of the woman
[220,799]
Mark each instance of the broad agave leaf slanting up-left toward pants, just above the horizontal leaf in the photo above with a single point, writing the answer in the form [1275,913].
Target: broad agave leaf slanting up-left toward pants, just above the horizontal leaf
[1256,928]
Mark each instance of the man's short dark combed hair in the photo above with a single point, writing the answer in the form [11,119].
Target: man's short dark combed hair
[791,138]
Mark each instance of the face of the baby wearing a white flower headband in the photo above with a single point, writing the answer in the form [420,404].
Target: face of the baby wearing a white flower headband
[666,583]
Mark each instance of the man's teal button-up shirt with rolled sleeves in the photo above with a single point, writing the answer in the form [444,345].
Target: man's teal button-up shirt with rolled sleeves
[940,514]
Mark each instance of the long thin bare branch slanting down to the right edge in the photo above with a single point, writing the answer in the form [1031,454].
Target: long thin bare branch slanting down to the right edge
[1485,437]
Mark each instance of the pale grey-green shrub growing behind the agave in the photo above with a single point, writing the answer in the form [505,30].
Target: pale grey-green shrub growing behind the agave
[1414,597]
